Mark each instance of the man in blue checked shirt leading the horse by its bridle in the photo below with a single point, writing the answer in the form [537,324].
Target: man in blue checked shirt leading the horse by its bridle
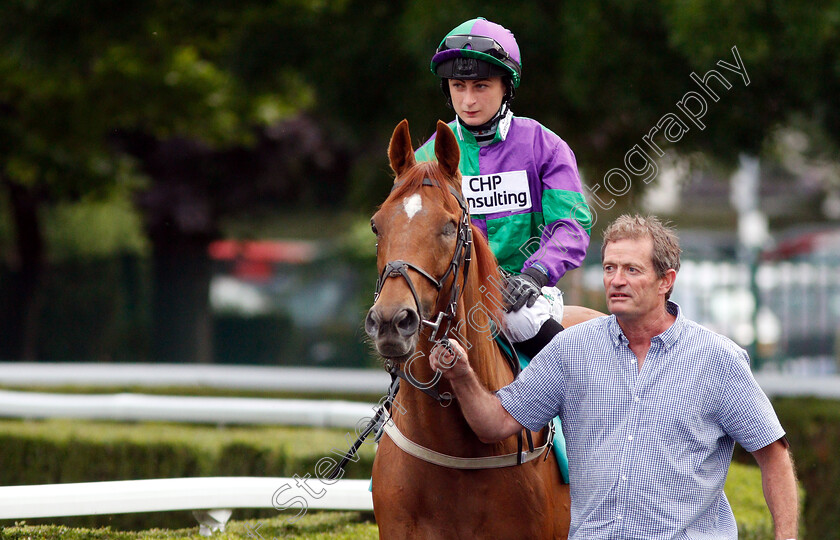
[651,402]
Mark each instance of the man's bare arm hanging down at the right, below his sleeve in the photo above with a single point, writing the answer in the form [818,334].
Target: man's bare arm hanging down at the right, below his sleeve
[778,480]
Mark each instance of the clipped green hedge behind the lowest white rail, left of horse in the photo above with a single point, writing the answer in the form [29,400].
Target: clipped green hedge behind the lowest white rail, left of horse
[63,451]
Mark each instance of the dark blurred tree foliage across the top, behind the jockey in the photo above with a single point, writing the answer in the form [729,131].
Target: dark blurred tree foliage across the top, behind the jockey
[223,107]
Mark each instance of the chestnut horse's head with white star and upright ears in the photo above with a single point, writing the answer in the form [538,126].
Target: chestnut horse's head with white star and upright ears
[423,238]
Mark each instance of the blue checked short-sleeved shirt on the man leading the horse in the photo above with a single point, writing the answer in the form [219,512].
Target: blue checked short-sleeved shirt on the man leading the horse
[648,449]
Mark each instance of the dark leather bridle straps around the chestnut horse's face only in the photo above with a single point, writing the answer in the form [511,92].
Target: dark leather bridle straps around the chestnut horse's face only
[461,255]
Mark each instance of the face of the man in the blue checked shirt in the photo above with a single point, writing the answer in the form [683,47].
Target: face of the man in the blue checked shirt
[632,287]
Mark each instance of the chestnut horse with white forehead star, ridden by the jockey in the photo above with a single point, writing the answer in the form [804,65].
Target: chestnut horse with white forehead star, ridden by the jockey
[432,477]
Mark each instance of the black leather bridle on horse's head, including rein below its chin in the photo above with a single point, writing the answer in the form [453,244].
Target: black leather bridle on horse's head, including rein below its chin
[459,264]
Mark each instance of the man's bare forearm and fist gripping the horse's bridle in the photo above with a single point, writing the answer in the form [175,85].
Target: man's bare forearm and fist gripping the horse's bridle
[483,410]
